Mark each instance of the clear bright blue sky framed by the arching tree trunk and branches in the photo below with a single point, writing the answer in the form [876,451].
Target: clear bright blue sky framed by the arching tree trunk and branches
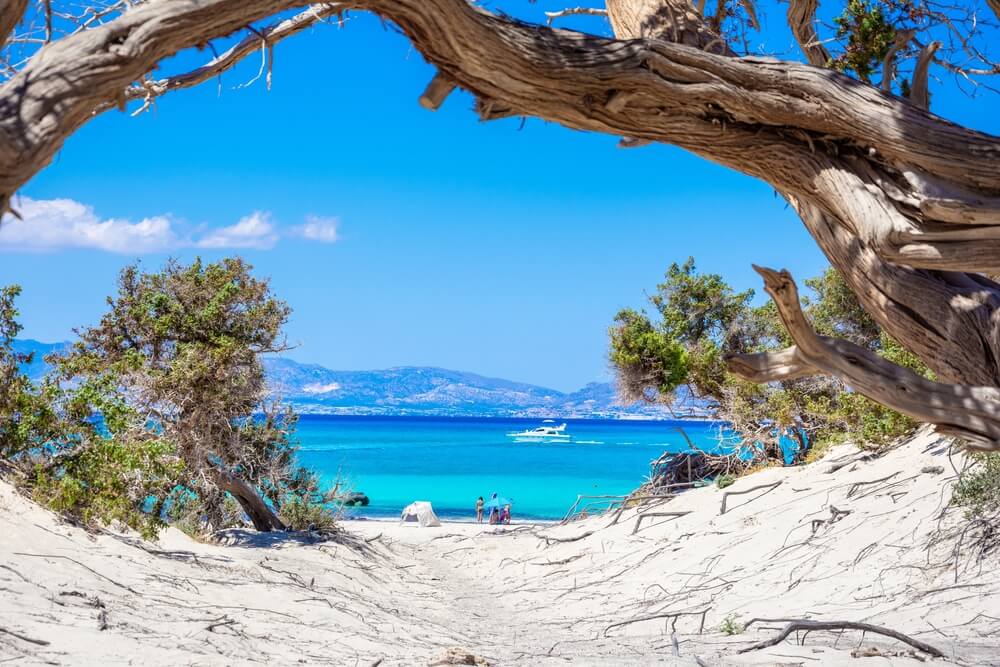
[434,240]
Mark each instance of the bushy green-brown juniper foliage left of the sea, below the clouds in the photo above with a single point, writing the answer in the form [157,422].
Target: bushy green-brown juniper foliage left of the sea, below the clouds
[173,369]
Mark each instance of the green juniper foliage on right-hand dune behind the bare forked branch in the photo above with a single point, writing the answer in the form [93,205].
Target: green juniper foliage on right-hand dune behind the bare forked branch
[697,320]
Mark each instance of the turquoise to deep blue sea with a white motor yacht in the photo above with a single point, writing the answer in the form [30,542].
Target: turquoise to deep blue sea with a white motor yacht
[452,461]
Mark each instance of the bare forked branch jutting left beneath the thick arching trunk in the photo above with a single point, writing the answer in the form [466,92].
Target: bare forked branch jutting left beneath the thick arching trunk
[971,413]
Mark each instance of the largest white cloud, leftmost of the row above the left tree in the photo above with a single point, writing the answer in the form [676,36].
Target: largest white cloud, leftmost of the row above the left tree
[64,223]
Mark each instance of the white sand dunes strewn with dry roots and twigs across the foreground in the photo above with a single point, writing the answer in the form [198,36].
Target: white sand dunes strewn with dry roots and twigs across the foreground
[405,594]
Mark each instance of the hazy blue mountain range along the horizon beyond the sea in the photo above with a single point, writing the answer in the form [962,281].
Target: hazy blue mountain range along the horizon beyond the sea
[409,390]
